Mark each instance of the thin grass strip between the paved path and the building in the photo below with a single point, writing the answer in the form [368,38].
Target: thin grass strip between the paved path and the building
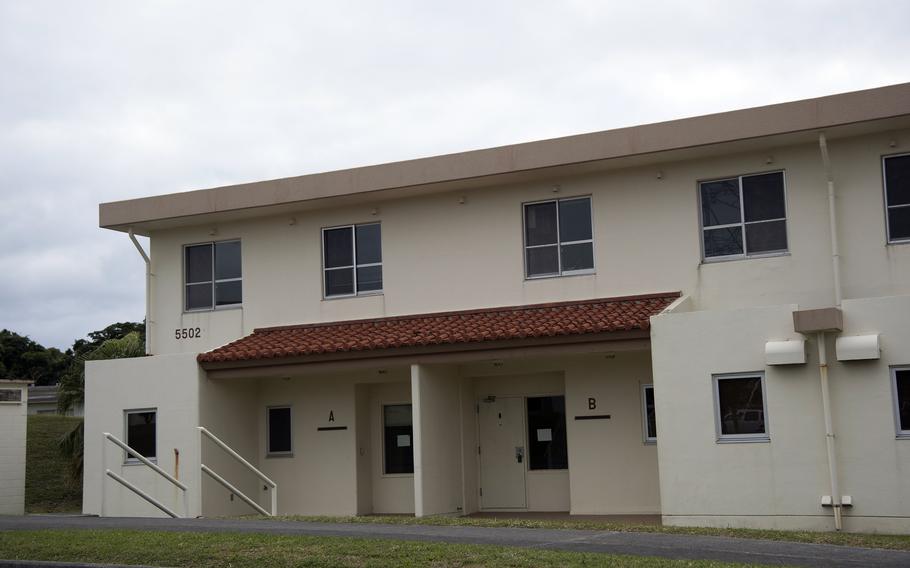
[893,542]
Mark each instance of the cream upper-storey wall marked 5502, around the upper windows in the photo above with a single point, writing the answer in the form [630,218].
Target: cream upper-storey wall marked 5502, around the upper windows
[646,233]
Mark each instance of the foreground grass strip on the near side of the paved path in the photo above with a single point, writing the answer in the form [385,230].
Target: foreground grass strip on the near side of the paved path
[204,550]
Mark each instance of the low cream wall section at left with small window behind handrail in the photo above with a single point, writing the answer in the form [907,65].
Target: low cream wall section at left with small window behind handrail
[167,383]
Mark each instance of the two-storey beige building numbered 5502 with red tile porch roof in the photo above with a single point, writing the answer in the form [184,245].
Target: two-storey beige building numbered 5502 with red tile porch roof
[705,319]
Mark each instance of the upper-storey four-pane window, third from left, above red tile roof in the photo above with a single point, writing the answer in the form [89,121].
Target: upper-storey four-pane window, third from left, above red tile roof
[559,239]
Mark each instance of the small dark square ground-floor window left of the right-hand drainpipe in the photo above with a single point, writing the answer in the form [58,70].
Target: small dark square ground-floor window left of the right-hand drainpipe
[739,407]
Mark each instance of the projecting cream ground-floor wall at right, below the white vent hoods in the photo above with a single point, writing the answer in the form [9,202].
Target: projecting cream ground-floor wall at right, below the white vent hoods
[779,484]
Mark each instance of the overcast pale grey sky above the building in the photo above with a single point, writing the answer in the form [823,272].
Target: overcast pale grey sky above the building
[103,101]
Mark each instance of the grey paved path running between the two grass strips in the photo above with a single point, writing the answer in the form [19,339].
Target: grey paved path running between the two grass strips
[726,549]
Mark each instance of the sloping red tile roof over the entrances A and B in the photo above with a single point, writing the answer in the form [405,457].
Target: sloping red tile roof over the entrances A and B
[602,315]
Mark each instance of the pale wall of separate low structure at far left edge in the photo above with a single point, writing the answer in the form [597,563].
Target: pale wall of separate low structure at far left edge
[13,425]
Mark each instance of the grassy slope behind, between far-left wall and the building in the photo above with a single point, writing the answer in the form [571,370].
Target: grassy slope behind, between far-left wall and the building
[48,488]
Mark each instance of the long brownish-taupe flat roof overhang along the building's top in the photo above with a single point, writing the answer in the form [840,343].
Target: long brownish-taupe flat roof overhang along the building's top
[843,115]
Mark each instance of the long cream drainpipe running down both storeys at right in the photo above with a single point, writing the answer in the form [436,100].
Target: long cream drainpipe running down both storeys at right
[820,339]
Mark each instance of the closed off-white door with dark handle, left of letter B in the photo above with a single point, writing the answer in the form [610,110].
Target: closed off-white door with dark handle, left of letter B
[501,423]
